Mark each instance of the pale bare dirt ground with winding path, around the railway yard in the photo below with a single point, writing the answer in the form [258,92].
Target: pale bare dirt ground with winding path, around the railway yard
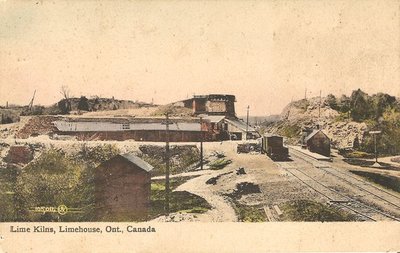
[276,185]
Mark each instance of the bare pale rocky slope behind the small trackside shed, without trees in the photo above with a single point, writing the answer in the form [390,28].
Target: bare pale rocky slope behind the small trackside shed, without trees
[309,114]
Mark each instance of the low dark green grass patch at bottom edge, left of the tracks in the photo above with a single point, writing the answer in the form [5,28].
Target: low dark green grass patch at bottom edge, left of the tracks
[306,210]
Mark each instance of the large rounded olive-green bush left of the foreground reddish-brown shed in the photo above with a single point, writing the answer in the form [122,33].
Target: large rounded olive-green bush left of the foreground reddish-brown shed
[52,180]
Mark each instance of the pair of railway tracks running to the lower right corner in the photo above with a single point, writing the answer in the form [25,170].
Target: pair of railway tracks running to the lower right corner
[364,211]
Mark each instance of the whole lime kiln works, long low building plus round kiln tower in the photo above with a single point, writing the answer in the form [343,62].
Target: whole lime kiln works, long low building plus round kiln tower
[214,119]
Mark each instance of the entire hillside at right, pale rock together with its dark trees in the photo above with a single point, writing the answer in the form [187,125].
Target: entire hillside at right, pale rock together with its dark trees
[345,120]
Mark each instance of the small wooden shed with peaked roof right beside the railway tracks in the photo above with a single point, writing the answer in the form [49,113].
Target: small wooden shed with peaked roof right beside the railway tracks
[318,142]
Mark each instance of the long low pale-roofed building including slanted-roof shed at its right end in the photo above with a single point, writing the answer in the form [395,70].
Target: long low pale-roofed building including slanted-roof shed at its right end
[210,128]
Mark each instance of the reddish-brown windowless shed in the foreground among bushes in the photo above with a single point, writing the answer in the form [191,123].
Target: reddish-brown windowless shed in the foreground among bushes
[122,188]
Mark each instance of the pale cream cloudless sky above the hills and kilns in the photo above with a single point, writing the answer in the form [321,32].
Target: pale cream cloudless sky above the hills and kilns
[267,53]
